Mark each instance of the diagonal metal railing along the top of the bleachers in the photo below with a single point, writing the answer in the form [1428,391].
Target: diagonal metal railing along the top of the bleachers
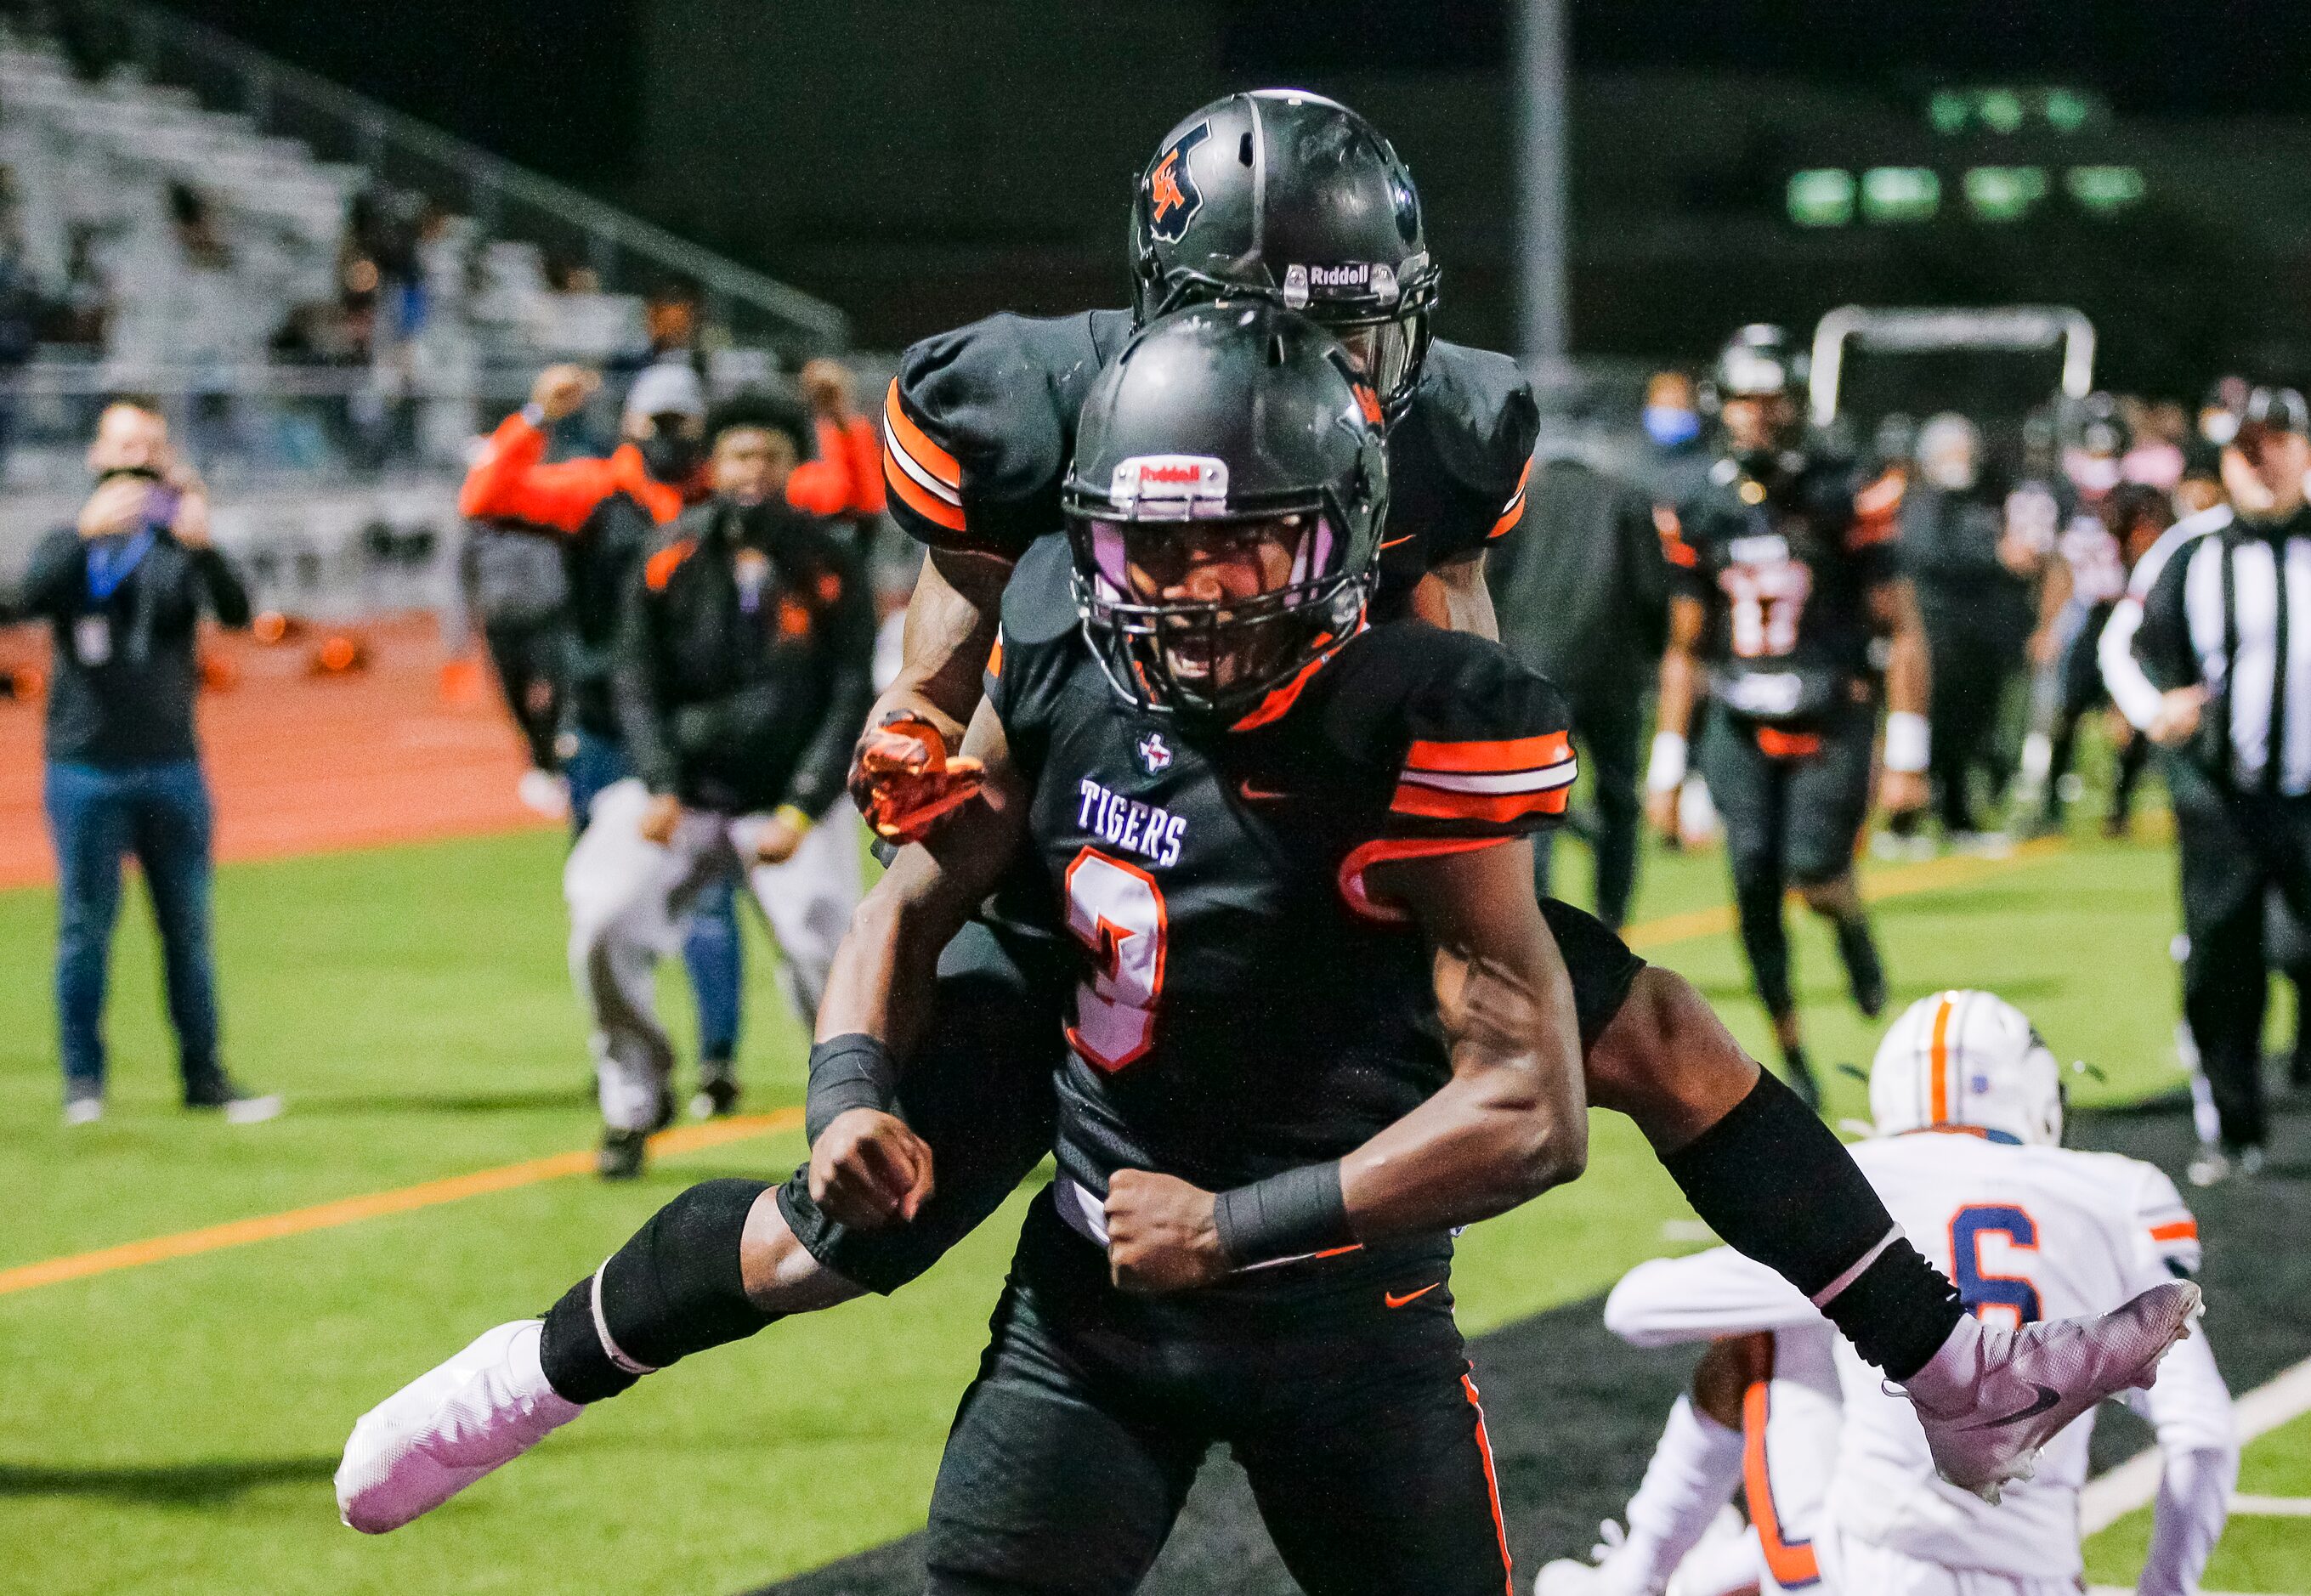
[505,200]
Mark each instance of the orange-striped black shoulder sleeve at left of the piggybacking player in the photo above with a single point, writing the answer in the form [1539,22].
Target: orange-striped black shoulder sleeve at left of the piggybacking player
[979,428]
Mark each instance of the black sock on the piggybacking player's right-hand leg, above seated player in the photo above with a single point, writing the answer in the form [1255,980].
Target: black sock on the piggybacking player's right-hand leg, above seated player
[1778,1186]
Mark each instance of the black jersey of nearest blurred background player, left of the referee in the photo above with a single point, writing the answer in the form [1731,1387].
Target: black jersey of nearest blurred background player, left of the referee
[1783,567]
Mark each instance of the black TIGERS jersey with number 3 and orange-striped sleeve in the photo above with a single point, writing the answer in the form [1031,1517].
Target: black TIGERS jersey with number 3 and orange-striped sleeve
[1242,1006]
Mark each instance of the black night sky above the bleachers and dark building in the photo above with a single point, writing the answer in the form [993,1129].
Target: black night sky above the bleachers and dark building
[560,94]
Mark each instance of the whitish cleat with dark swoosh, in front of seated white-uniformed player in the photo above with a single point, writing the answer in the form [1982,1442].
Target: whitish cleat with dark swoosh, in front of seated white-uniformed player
[1991,1399]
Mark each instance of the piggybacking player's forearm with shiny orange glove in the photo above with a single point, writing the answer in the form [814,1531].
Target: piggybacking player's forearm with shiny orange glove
[902,777]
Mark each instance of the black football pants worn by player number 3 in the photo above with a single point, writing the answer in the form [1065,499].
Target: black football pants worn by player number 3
[1344,1394]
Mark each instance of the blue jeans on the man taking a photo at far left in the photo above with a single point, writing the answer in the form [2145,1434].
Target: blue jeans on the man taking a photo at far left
[158,814]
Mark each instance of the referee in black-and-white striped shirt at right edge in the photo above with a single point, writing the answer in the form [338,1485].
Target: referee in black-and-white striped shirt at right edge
[2213,659]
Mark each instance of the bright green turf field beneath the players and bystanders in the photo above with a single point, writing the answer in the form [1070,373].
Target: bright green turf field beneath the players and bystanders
[172,1429]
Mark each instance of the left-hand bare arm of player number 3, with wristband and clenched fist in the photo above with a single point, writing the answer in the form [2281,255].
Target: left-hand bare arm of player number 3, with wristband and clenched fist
[868,1168]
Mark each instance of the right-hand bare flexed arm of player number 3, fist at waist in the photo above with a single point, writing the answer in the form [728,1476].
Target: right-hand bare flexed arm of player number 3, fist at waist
[1510,1124]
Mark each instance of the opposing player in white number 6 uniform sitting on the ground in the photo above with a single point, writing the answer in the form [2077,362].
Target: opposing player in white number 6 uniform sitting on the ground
[1843,1496]
